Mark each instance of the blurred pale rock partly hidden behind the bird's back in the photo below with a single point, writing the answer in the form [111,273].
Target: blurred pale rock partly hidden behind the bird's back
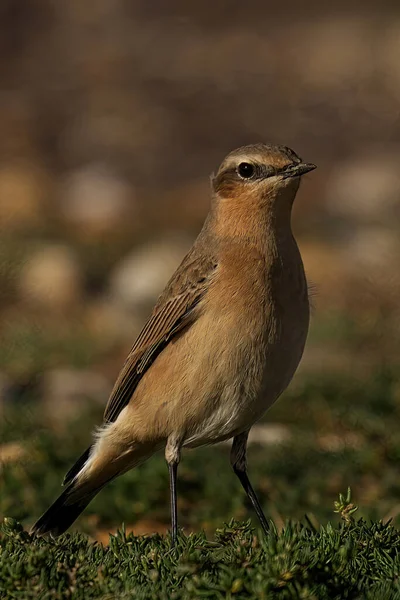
[141,276]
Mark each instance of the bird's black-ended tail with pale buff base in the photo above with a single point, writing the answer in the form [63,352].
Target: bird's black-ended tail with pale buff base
[107,458]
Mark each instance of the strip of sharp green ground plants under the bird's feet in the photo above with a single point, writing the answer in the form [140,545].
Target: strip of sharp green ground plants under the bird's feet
[349,560]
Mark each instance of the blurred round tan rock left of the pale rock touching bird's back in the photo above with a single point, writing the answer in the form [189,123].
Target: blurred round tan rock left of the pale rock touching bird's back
[51,277]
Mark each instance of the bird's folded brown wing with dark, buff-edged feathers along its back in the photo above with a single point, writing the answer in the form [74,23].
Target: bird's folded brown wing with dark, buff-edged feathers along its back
[176,309]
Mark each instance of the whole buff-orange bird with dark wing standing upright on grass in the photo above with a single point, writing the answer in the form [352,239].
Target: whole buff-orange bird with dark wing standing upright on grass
[221,344]
